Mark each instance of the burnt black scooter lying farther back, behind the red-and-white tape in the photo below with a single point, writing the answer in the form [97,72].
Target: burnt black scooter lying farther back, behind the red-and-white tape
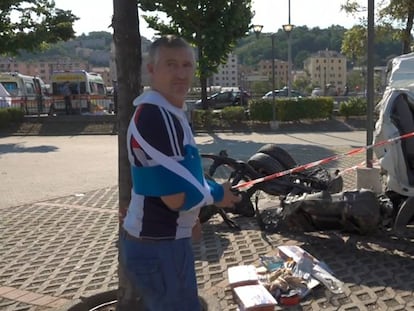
[267,160]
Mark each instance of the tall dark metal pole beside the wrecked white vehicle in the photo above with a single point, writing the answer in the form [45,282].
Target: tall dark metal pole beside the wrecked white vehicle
[370,82]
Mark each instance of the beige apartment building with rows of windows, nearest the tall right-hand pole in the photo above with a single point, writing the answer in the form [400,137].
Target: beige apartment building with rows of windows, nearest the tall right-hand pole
[327,68]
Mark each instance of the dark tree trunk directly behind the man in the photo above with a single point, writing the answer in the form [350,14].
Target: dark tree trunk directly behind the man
[127,41]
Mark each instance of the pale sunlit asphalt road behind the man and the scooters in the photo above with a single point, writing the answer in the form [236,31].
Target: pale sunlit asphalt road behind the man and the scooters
[38,168]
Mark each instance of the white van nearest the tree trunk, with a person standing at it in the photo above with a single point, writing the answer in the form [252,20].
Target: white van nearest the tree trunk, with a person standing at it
[88,92]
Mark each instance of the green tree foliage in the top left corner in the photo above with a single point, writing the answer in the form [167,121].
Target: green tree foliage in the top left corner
[32,24]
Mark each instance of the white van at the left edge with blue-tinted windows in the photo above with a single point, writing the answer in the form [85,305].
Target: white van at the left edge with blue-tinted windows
[27,92]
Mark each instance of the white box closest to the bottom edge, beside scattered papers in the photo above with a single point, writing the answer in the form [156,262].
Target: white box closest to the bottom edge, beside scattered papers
[254,298]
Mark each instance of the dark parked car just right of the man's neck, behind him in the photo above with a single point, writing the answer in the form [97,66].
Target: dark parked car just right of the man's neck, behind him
[225,99]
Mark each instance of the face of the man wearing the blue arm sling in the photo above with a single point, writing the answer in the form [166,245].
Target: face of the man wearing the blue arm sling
[172,73]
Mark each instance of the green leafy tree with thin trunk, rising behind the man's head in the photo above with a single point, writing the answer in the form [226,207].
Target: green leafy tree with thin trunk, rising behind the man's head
[212,26]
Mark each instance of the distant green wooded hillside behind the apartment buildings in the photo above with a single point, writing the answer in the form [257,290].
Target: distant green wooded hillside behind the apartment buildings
[95,47]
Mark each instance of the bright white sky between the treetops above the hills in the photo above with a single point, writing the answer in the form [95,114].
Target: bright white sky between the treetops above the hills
[95,15]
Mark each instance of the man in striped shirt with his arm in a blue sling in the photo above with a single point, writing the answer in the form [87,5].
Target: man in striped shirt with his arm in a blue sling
[169,187]
